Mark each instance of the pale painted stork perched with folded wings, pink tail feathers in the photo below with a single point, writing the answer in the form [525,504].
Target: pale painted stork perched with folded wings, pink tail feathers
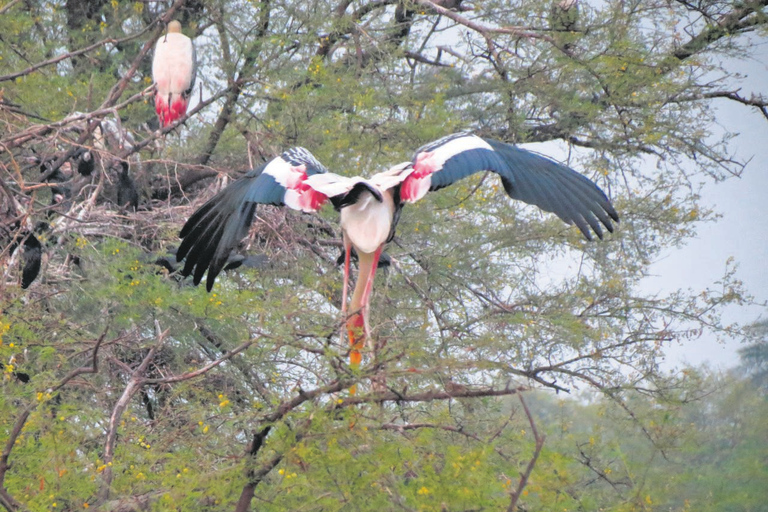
[173,71]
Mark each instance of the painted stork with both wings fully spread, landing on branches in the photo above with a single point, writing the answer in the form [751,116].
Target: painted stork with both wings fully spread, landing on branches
[370,208]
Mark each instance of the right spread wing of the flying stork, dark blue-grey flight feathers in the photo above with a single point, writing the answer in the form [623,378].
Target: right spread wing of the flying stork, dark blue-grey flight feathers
[526,176]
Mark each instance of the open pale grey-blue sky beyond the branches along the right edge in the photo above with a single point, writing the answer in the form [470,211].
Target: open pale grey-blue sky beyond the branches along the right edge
[742,232]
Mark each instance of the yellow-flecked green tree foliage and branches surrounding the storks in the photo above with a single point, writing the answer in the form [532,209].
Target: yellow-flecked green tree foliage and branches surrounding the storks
[126,388]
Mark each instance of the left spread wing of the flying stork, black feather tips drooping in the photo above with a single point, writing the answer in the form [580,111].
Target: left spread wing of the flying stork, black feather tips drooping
[213,231]
